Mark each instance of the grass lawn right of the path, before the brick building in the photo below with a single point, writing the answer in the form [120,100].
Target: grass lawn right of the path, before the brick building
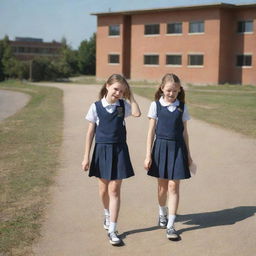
[228,106]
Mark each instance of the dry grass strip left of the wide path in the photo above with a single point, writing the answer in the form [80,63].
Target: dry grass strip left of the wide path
[29,142]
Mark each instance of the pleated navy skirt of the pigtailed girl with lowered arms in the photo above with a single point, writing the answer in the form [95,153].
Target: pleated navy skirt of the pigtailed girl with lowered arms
[169,160]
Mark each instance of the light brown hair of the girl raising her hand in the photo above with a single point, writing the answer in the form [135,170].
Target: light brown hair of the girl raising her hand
[116,78]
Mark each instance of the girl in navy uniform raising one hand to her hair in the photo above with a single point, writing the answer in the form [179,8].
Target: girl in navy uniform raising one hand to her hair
[110,161]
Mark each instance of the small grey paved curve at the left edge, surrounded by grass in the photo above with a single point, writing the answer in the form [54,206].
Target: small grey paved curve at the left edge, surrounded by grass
[11,102]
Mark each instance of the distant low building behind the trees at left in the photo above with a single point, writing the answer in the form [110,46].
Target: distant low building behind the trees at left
[27,48]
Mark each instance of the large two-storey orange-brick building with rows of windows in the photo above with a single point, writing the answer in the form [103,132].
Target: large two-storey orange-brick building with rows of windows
[206,44]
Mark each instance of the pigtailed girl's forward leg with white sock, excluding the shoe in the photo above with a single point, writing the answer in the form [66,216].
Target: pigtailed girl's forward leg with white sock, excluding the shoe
[173,202]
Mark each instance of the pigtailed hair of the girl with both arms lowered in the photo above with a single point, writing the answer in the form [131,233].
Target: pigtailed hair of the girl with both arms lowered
[169,77]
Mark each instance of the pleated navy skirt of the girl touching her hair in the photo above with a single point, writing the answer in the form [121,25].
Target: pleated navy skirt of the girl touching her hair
[111,162]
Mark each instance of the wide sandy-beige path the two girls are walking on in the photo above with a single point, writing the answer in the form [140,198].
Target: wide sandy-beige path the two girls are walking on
[217,206]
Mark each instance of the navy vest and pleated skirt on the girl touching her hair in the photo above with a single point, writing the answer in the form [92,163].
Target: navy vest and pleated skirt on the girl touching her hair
[111,159]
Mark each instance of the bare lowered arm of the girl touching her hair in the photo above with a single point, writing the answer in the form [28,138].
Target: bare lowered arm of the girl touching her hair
[88,144]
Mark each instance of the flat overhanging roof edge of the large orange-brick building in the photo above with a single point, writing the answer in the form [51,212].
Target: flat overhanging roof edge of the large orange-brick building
[201,6]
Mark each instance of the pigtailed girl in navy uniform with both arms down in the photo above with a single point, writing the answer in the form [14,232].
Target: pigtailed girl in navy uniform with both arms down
[170,157]
